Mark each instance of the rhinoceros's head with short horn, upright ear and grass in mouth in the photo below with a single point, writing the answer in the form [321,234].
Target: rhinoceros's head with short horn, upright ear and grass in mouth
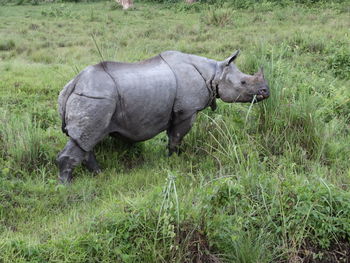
[235,86]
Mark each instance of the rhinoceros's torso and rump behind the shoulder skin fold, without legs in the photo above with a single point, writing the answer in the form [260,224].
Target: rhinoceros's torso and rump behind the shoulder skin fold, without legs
[132,99]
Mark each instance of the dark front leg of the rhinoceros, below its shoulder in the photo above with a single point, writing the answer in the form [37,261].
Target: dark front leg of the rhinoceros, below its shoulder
[178,129]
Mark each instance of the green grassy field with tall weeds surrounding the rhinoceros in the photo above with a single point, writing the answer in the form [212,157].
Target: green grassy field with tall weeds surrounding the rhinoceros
[262,183]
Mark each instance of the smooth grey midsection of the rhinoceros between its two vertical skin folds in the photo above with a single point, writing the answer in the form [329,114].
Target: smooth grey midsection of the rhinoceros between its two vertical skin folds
[145,101]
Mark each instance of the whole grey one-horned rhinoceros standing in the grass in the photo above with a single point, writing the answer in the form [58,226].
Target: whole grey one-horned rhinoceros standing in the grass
[137,101]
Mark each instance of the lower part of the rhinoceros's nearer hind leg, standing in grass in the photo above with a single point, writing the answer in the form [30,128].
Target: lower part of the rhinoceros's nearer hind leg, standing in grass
[71,156]
